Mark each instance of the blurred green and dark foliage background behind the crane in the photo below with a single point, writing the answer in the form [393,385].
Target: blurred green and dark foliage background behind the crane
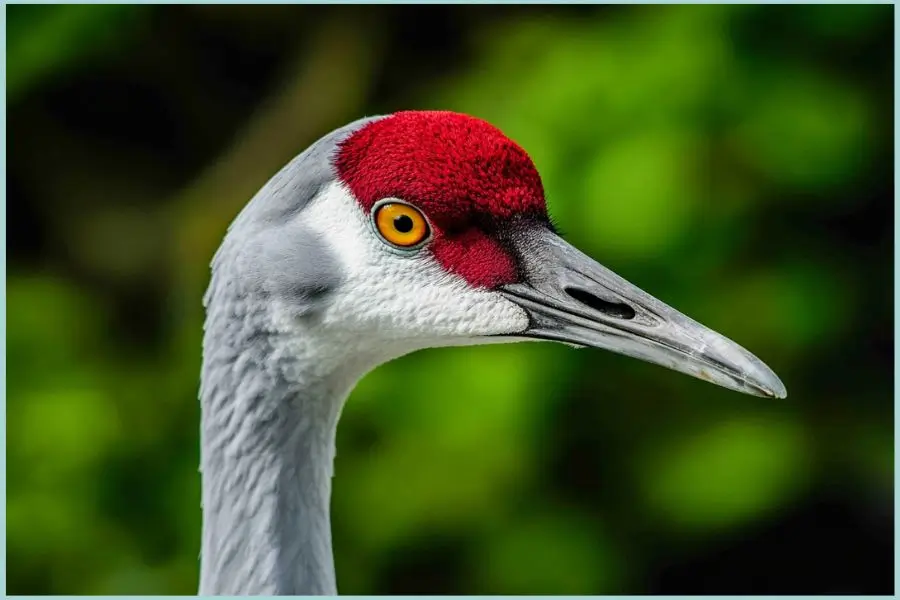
[734,161]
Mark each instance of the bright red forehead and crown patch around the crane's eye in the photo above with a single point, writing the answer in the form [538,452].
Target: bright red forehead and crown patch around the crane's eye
[466,176]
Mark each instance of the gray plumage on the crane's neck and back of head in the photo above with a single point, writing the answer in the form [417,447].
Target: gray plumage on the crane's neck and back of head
[263,442]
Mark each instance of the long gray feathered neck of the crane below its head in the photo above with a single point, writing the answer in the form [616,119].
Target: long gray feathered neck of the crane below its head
[267,450]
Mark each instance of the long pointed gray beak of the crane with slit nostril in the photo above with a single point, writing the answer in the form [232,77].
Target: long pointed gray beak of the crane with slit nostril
[571,298]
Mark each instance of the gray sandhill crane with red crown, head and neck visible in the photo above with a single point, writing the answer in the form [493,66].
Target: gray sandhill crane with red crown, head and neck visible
[389,235]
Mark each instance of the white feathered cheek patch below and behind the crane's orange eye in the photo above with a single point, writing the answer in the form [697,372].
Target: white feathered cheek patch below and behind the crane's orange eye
[393,296]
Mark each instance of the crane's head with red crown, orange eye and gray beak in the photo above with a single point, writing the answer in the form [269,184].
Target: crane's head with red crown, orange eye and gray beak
[429,228]
